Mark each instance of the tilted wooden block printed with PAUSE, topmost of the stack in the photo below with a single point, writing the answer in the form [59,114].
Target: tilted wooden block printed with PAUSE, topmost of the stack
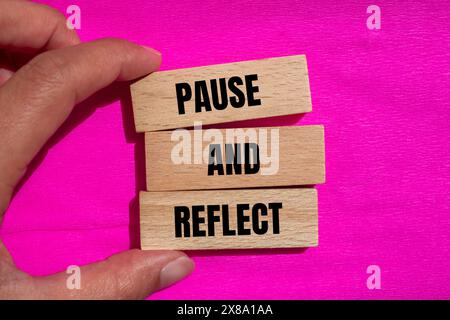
[221,93]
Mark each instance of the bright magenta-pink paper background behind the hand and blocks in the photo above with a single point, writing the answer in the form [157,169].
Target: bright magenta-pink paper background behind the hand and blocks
[383,97]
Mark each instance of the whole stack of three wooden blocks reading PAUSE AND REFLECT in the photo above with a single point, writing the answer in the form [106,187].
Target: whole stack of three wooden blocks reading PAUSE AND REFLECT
[228,188]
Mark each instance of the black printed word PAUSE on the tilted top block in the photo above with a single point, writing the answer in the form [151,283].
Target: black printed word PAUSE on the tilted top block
[217,96]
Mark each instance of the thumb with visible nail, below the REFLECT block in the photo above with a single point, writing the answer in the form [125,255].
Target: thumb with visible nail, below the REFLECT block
[132,274]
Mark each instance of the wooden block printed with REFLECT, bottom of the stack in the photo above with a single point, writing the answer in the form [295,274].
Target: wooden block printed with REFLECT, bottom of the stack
[228,219]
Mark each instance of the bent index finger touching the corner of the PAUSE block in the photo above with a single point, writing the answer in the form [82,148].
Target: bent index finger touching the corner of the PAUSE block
[37,99]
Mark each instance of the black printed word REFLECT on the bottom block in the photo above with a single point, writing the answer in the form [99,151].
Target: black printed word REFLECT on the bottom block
[189,221]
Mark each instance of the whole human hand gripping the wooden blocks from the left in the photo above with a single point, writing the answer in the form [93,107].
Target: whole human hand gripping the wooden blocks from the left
[36,96]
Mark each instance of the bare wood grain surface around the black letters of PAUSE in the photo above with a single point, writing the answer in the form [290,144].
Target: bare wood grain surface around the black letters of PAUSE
[283,88]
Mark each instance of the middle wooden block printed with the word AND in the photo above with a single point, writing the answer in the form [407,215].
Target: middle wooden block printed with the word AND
[289,156]
